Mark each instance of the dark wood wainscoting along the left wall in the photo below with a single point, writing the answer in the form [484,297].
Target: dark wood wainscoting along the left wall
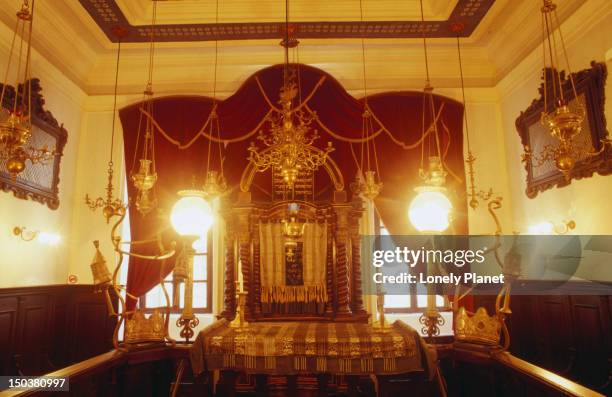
[49,327]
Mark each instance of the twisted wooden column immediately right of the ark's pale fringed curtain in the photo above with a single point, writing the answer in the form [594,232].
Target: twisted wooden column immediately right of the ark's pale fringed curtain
[342,263]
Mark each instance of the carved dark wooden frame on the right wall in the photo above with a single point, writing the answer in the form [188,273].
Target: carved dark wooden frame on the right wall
[591,84]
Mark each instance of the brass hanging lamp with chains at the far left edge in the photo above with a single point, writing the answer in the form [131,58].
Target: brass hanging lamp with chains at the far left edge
[16,118]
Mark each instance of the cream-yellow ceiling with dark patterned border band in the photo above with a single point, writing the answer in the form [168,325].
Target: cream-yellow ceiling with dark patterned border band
[76,36]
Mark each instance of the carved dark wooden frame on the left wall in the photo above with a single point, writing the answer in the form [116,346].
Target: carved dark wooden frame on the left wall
[43,122]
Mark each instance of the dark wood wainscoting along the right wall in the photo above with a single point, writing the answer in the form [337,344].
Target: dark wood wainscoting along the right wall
[569,334]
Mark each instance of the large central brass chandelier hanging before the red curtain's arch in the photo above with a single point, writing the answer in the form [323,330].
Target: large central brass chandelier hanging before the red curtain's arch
[289,145]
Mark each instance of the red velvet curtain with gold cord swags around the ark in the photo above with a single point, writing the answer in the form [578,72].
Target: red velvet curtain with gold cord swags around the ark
[181,117]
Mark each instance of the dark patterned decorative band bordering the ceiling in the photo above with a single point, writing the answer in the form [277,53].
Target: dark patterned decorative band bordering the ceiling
[108,16]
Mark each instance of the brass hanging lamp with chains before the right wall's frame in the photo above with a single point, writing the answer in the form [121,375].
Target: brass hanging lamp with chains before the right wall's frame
[564,120]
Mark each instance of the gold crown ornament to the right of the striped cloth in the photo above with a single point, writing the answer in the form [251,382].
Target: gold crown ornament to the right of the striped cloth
[477,328]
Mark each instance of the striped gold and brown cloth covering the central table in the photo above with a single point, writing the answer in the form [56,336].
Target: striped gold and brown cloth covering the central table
[283,348]
